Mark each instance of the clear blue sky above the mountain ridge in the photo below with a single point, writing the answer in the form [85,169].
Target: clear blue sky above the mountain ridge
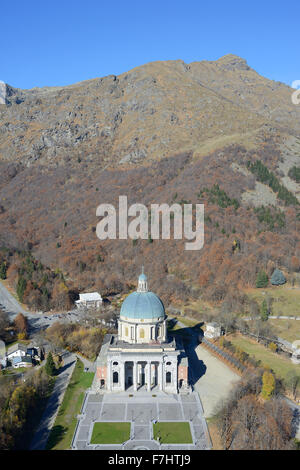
[62,42]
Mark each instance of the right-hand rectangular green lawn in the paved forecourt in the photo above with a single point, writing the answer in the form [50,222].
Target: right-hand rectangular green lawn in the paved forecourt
[171,432]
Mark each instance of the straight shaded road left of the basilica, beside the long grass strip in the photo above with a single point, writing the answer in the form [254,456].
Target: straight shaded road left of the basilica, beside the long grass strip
[41,436]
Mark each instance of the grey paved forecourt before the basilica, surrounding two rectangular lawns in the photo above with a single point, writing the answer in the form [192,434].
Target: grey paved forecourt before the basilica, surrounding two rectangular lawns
[141,410]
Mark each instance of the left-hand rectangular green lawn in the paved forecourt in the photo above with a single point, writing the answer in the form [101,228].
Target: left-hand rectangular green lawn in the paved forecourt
[110,433]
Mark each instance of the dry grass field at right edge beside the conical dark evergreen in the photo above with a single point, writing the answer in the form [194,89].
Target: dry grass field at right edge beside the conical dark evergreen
[286,299]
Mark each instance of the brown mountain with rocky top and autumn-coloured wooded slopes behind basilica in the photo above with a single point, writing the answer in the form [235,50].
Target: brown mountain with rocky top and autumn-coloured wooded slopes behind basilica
[162,132]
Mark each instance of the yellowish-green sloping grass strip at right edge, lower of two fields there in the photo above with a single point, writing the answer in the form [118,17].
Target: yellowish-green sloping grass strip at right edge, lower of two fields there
[279,364]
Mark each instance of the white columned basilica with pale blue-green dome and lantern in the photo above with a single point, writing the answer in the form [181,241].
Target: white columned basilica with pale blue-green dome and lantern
[141,357]
